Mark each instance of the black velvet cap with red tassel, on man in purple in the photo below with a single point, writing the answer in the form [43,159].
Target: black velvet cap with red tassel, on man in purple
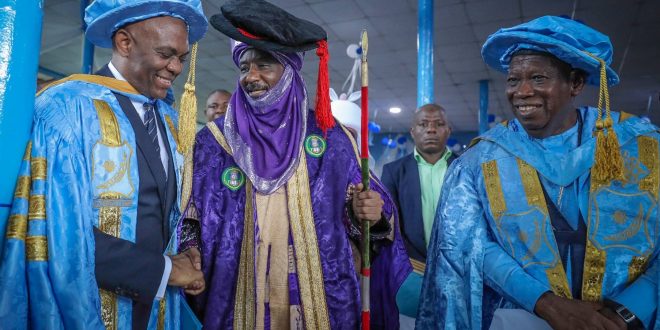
[265,26]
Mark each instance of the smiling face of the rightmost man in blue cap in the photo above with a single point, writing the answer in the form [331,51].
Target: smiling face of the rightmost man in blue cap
[541,91]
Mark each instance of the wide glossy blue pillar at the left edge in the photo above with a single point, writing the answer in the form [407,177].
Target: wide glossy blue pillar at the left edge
[20,37]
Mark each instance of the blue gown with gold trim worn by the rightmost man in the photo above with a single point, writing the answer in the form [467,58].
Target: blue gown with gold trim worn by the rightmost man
[493,245]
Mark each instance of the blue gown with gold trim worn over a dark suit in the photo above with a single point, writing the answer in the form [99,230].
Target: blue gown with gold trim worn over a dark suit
[79,172]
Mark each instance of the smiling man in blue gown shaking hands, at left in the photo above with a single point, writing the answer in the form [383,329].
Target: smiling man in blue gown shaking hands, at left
[88,239]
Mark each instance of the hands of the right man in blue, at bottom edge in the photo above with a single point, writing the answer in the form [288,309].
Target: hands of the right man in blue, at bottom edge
[562,313]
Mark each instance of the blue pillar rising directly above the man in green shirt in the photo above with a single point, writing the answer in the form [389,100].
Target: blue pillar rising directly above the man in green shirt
[425,53]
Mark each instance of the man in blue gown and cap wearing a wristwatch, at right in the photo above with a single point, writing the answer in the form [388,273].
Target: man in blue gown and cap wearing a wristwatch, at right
[550,219]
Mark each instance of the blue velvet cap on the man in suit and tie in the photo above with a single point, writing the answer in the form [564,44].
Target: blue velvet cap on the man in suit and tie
[105,17]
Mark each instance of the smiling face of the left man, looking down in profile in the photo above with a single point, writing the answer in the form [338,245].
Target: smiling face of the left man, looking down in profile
[150,54]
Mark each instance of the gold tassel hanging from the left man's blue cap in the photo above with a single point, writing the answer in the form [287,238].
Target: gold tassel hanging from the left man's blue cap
[188,109]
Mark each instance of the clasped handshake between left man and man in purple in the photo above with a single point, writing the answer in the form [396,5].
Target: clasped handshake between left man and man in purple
[187,272]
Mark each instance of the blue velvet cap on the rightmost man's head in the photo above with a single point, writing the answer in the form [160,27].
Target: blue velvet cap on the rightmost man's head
[564,38]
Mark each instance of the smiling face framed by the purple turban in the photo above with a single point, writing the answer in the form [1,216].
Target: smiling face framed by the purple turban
[259,72]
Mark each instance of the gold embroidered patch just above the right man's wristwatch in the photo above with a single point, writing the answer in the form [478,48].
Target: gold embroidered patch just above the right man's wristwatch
[594,271]
